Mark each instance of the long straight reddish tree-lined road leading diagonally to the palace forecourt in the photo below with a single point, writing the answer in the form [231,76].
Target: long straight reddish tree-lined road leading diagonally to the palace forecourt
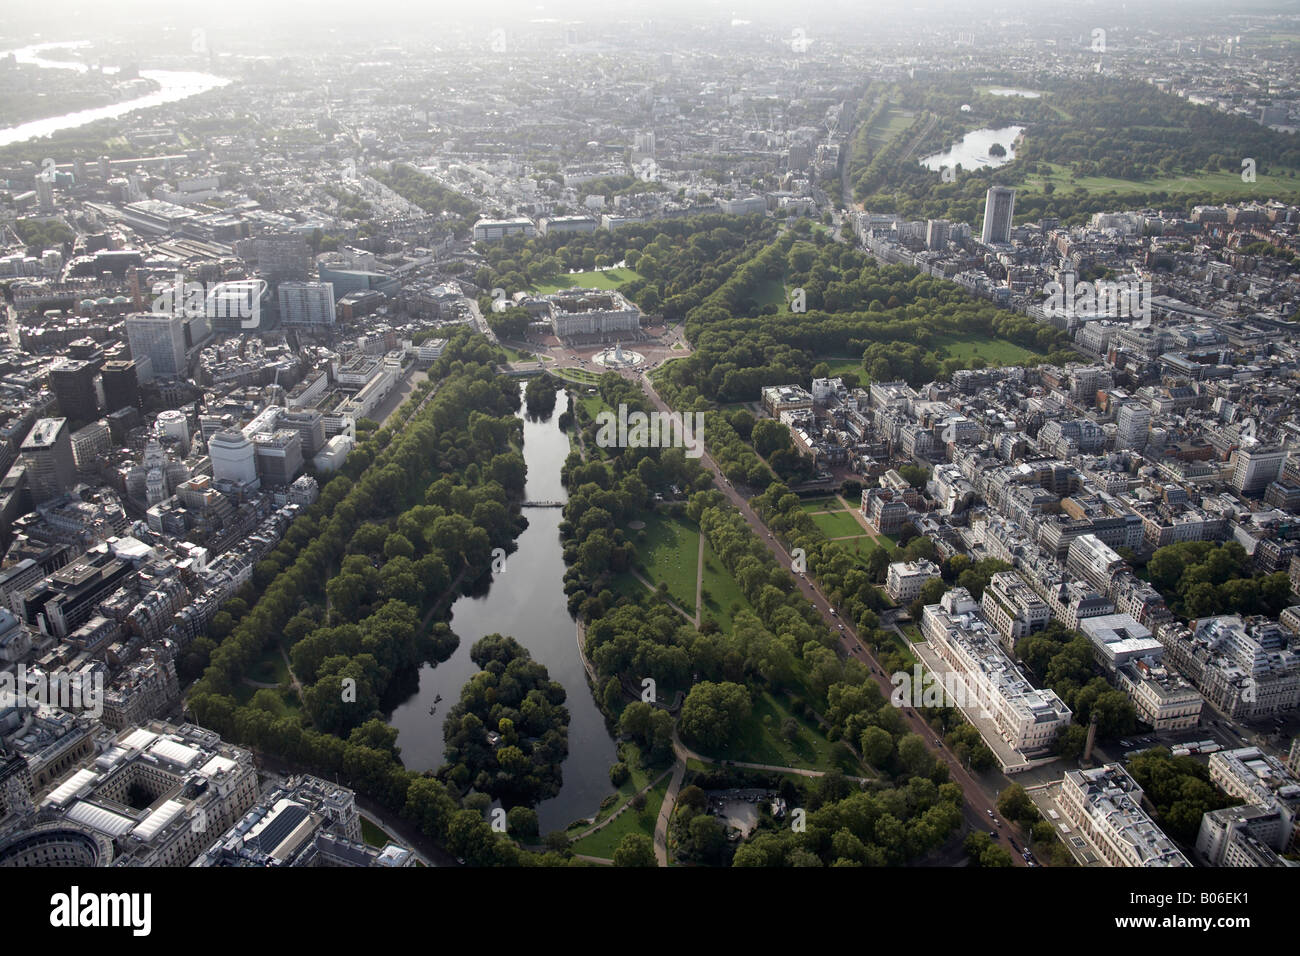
[980,803]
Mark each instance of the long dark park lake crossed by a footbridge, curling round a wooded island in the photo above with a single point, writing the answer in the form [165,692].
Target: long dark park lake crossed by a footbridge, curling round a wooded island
[527,602]
